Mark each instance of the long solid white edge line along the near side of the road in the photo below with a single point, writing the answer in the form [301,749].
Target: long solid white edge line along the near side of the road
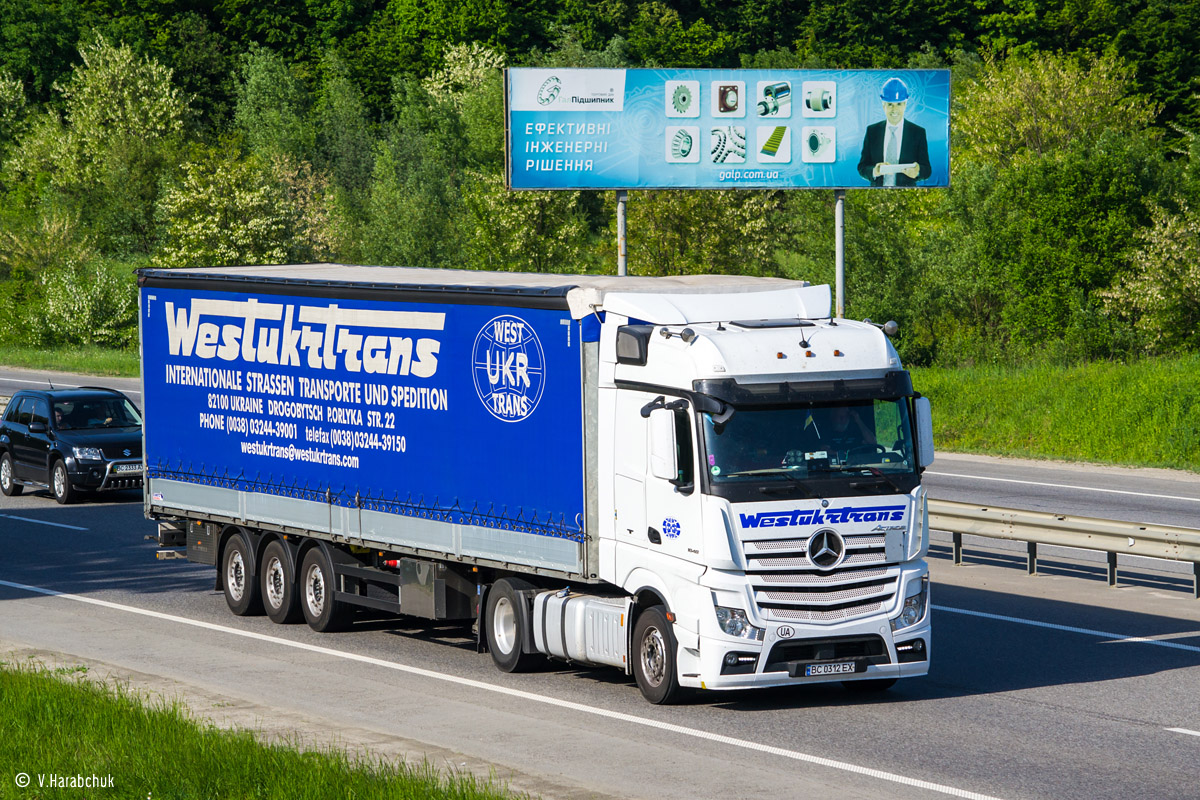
[523,695]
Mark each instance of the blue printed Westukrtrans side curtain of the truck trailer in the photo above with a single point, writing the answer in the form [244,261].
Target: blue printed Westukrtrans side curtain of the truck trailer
[471,414]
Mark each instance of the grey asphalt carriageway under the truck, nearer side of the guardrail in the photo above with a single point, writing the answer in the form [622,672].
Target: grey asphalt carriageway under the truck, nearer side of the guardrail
[1054,687]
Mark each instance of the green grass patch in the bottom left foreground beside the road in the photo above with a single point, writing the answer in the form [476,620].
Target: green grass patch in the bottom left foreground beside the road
[155,750]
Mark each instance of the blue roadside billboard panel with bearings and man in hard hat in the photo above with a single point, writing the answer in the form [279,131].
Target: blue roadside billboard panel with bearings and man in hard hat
[727,129]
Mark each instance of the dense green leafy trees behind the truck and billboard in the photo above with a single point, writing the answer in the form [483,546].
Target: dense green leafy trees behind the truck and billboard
[190,135]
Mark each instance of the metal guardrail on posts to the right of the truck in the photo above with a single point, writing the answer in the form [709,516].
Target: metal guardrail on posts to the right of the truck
[1036,528]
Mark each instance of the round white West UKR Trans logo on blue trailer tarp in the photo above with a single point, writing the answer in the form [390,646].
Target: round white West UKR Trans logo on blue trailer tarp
[509,368]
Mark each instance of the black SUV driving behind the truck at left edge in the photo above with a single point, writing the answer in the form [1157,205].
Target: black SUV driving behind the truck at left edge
[70,441]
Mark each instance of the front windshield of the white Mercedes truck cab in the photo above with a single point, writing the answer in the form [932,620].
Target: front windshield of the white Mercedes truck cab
[843,448]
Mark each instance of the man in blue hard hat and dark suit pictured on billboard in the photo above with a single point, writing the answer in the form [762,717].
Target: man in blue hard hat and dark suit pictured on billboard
[896,152]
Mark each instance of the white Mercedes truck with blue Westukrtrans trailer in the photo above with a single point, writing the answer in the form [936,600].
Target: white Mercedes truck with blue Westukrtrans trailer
[709,483]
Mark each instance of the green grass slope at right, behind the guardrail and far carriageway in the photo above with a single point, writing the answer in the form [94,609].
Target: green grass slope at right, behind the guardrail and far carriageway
[1142,414]
